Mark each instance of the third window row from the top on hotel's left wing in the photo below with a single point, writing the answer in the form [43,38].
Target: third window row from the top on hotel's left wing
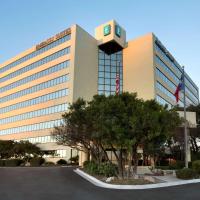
[35,76]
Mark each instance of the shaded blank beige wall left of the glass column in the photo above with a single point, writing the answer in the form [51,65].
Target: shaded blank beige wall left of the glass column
[85,77]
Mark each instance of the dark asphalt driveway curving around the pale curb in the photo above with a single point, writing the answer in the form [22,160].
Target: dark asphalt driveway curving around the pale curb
[61,183]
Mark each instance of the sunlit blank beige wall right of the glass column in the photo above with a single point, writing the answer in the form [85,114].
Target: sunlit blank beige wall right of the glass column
[138,67]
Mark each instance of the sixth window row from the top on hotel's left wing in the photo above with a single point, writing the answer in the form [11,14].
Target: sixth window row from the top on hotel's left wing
[35,113]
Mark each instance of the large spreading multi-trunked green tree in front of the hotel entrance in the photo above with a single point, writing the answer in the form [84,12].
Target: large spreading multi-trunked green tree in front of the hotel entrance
[121,123]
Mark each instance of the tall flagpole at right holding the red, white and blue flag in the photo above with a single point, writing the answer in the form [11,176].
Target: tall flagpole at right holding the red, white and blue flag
[185,122]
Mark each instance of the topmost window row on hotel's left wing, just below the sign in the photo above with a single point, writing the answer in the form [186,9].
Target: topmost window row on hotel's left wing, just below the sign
[35,53]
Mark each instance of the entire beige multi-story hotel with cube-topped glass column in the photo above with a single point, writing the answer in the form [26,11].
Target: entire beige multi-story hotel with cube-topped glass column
[37,85]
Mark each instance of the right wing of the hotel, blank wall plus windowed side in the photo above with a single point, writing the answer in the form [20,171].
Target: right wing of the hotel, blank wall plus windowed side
[151,71]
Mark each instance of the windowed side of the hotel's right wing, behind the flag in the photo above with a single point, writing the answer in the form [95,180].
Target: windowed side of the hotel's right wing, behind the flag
[168,74]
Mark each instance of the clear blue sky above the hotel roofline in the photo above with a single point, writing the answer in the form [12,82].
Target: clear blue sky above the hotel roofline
[24,23]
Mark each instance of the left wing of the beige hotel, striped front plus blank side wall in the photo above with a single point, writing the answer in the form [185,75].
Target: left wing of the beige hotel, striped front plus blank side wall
[82,72]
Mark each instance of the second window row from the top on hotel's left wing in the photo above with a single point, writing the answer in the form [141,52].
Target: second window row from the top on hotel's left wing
[36,64]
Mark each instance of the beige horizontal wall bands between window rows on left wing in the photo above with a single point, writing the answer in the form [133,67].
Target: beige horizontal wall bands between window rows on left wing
[53,102]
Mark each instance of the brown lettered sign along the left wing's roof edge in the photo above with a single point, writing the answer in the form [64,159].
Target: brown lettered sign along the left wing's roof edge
[54,38]
